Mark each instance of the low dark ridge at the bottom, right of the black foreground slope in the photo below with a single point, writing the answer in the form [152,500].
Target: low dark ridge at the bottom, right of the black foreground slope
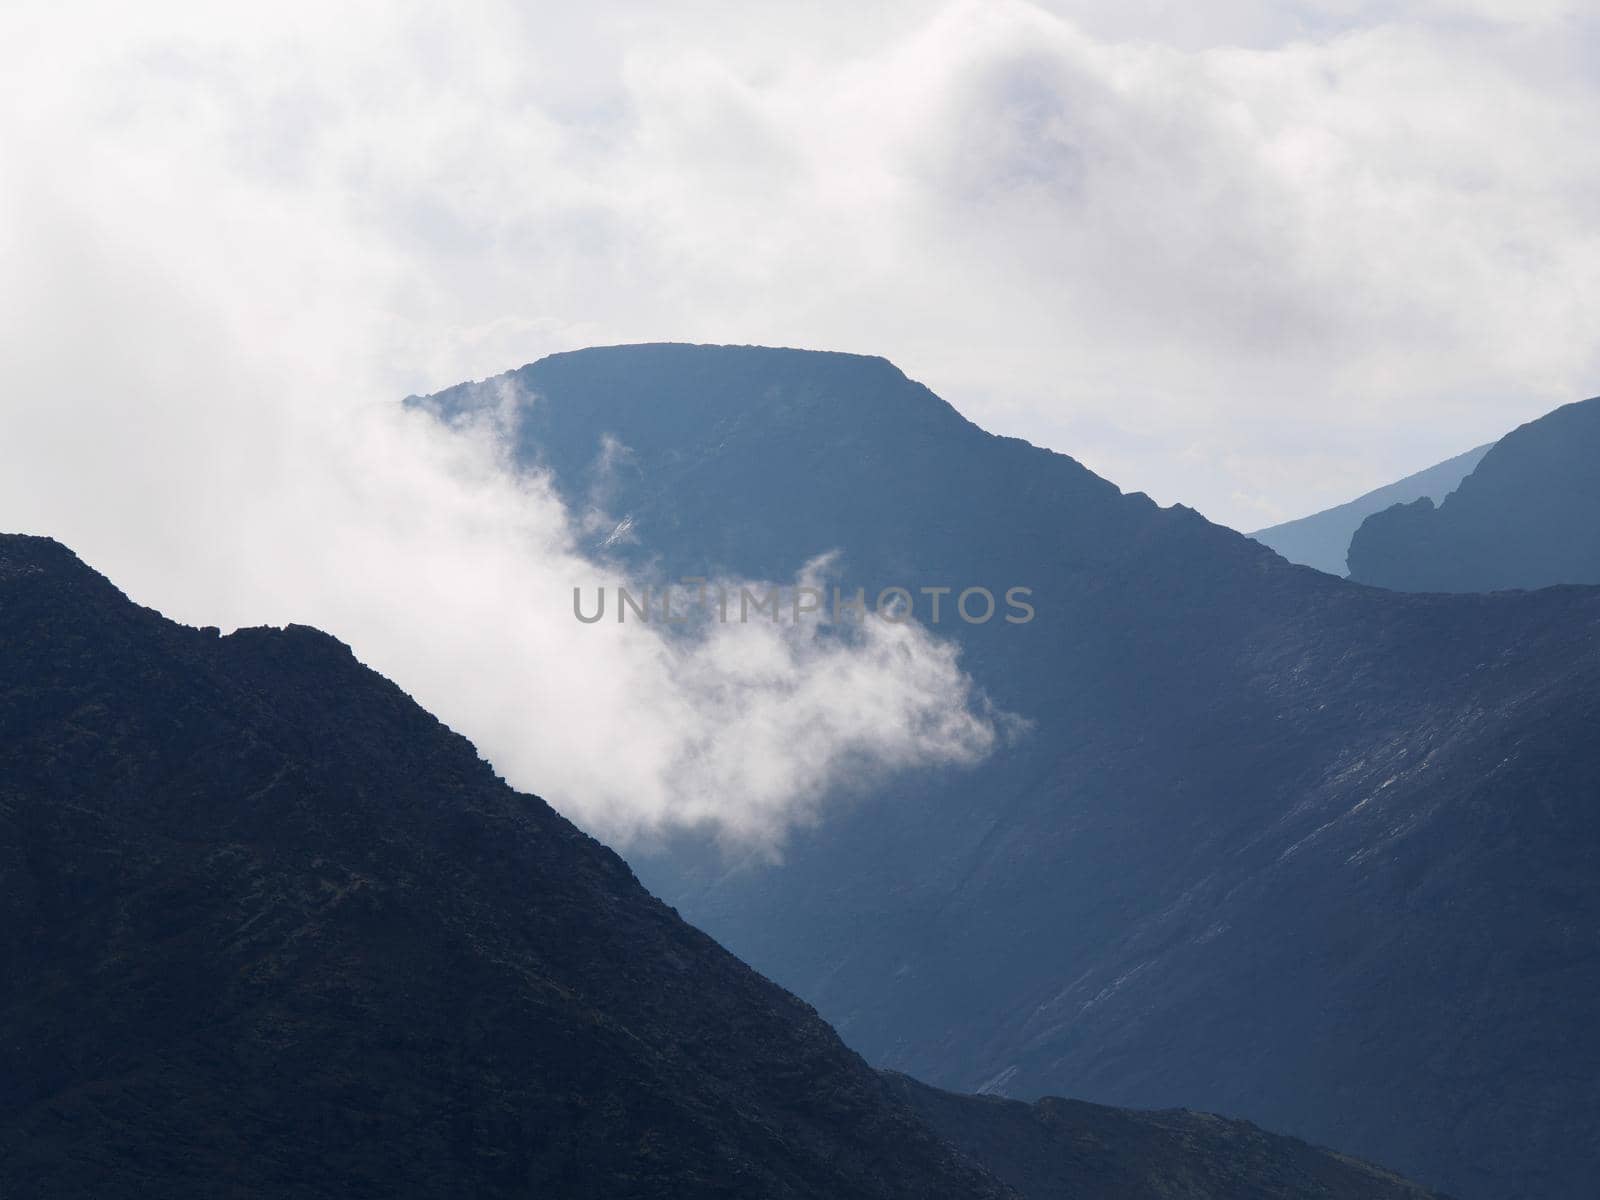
[1060,1148]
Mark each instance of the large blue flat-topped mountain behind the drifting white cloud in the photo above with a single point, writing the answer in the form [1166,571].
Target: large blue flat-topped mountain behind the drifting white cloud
[1276,846]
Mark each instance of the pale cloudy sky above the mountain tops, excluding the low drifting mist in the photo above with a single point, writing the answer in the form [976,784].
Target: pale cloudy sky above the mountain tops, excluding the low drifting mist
[1252,257]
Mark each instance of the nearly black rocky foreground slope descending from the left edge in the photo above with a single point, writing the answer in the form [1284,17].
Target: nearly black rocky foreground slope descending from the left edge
[268,929]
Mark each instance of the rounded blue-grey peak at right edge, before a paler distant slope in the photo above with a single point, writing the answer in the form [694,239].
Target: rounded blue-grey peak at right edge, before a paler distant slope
[1526,518]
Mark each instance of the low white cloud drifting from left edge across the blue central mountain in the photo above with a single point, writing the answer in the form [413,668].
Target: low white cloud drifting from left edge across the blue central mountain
[223,489]
